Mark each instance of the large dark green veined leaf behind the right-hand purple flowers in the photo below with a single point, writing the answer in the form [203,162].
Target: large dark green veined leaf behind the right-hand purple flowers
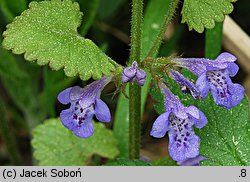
[225,139]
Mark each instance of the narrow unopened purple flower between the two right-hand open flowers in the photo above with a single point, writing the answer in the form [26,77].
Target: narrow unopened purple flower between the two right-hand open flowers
[184,82]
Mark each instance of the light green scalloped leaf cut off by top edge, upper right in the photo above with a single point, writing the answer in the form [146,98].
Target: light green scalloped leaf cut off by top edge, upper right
[200,14]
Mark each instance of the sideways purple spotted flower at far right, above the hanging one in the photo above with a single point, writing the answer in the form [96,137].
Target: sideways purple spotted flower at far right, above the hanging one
[214,76]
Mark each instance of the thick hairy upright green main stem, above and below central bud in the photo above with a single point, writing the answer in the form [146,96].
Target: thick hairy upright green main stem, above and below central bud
[135,90]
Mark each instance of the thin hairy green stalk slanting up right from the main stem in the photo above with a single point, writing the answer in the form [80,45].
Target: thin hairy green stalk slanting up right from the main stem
[168,17]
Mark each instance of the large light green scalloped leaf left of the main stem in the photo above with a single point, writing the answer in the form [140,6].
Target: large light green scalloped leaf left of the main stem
[46,32]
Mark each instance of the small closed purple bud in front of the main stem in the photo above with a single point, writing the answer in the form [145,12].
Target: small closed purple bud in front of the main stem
[134,74]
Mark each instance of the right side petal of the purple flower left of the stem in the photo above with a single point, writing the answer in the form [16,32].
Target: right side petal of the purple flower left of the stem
[102,111]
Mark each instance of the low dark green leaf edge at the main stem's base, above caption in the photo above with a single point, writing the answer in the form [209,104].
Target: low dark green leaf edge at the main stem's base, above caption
[127,162]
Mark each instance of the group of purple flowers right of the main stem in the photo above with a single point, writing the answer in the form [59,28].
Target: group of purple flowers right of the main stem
[178,121]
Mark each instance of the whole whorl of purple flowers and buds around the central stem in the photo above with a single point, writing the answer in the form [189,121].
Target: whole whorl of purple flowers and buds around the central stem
[177,120]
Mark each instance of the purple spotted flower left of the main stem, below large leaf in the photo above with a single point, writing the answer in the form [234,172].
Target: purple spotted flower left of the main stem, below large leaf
[85,103]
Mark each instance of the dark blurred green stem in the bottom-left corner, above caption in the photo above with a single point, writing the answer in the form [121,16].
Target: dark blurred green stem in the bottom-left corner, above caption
[8,138]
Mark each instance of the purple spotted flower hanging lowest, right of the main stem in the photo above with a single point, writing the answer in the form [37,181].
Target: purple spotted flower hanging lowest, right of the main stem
[178,120]
